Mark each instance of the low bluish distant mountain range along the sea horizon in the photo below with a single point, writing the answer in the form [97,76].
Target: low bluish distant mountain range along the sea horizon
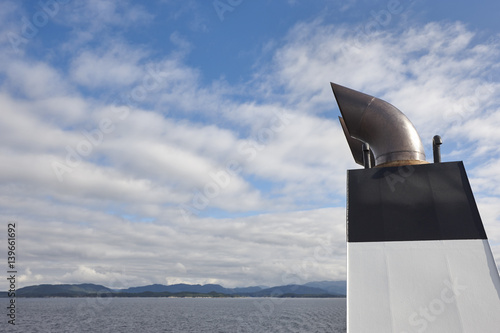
[312,289]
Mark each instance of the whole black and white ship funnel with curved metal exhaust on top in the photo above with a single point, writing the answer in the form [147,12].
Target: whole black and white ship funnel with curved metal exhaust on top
[418,257]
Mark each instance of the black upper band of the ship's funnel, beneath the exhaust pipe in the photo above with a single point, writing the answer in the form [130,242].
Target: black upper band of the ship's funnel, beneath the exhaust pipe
[411,203]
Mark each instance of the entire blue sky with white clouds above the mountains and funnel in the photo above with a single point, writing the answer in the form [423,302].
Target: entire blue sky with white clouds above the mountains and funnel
[198,141]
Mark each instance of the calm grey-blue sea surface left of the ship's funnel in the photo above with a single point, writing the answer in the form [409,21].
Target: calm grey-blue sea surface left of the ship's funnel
[179,315]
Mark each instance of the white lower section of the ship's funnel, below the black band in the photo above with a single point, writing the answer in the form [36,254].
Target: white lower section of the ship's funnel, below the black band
[425,286]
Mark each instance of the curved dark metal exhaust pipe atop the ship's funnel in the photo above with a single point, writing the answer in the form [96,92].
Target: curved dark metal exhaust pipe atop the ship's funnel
[392,137]
